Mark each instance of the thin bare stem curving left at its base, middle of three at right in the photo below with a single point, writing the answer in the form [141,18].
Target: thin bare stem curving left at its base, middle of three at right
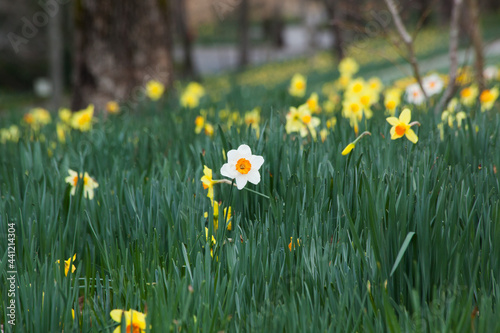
[452,77]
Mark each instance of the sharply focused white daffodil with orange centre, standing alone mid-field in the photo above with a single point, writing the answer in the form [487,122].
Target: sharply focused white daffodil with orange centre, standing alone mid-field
[242,166]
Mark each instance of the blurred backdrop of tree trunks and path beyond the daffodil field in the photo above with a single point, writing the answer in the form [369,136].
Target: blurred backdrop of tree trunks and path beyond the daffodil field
[57,53]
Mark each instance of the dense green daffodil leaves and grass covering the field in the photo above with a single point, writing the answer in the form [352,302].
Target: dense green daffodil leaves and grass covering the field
[393,237]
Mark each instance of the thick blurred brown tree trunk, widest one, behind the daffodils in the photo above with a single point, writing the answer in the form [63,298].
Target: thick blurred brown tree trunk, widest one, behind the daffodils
[120,46]
